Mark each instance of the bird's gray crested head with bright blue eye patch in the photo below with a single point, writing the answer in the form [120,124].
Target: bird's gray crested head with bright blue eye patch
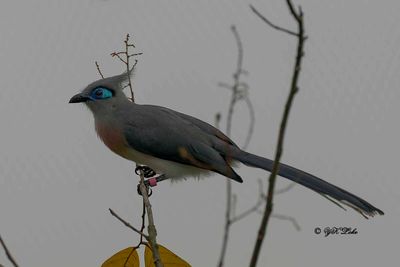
[103,95]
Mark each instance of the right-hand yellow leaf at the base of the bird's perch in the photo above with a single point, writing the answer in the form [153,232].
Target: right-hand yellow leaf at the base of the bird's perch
[168,258]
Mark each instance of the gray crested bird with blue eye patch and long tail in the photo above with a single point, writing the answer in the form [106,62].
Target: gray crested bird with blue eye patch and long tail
[178,145]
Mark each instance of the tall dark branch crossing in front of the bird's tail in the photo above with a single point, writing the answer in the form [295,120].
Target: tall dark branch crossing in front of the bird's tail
[279,150]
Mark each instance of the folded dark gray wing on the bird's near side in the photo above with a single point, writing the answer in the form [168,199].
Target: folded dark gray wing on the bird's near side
[165,134]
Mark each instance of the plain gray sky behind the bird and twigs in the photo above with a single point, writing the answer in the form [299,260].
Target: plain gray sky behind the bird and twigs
[57,180]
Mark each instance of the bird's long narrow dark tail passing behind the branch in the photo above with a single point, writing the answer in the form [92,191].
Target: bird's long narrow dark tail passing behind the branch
[314,183]
